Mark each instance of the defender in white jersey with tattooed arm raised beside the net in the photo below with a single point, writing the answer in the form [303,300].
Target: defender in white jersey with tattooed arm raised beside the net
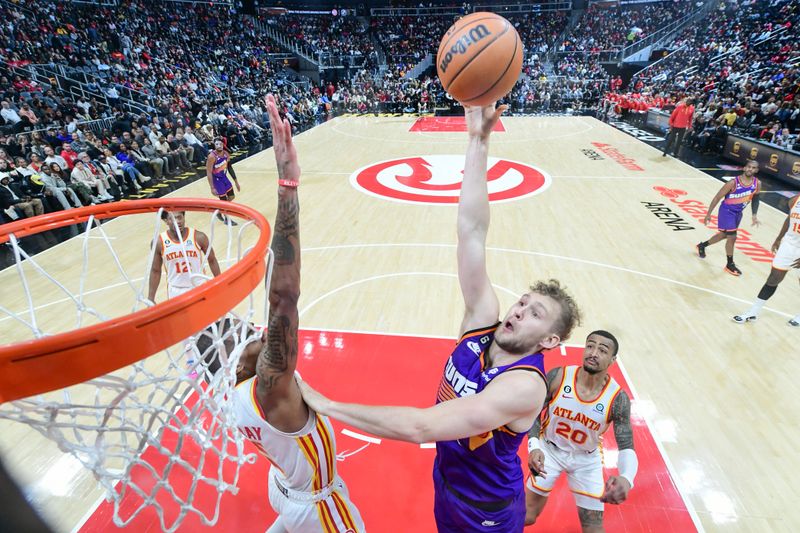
[304,487]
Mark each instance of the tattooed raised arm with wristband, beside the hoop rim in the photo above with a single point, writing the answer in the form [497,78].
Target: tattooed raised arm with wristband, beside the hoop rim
[278,358]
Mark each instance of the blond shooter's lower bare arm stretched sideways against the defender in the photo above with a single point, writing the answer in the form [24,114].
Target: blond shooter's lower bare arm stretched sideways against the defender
[508,398]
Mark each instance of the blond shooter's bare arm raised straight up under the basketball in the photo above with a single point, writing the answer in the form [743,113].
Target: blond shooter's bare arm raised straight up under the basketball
[480,302]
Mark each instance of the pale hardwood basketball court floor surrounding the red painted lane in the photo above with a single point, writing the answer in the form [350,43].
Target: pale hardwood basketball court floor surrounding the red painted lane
[611,218]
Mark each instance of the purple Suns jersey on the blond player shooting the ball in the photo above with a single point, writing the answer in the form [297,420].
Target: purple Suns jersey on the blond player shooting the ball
[486,467]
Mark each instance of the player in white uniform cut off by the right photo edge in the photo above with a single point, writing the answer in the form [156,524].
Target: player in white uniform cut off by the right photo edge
[787,255]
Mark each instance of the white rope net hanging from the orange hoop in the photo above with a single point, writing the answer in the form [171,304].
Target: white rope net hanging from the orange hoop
[154,434]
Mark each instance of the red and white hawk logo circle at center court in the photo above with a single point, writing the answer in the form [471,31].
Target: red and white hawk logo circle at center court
[436,179]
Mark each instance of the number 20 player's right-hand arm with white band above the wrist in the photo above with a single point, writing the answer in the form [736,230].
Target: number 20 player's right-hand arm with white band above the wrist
[617,487]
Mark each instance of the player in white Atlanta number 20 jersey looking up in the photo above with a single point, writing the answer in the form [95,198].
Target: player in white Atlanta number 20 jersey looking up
[582,402]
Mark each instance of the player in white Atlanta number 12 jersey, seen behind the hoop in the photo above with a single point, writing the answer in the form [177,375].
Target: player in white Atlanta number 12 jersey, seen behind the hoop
[180,251]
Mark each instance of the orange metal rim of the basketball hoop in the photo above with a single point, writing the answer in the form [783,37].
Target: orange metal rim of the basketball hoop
[53,362]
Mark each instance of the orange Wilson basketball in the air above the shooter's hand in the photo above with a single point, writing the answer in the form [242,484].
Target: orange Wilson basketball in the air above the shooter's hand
[479,59]
